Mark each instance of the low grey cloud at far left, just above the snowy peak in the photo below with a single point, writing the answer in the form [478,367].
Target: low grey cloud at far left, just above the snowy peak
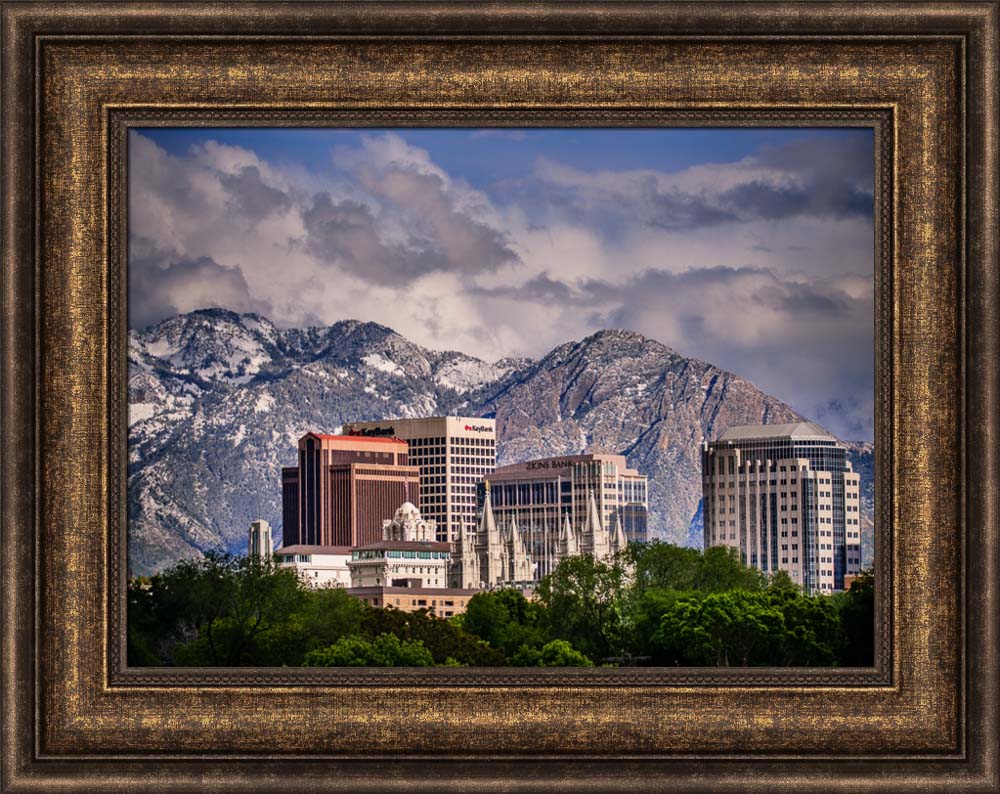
[162,284]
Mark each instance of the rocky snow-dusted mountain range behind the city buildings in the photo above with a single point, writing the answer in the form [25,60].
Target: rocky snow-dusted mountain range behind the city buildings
[217,401]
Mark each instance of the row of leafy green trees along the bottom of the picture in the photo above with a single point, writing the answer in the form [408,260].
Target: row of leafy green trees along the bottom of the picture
[655,604]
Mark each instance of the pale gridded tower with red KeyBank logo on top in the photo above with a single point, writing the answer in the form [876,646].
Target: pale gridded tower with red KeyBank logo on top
[453,454]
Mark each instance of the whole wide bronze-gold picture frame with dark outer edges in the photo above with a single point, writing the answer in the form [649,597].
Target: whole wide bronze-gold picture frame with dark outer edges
[77,77]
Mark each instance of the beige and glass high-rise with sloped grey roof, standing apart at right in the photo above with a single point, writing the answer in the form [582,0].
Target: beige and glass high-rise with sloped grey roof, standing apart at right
[788,499]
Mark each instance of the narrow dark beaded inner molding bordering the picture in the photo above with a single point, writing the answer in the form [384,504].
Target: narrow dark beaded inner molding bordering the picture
[119,120]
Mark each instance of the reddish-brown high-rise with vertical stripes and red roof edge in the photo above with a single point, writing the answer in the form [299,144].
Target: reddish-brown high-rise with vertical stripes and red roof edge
[343,488]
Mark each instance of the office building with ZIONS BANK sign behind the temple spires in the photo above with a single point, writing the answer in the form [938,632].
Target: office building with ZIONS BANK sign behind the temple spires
[595,492]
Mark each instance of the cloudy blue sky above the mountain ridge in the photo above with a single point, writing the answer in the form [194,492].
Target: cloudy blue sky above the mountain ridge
[751,249]
